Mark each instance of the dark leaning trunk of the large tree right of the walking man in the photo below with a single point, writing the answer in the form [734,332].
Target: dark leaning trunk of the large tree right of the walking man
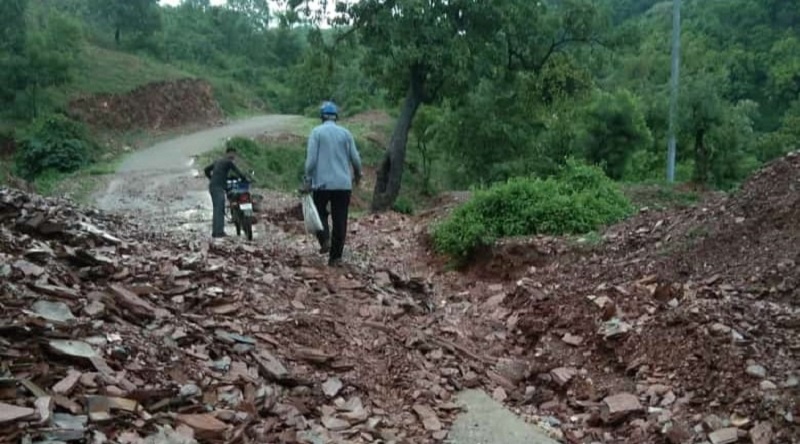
[390,174]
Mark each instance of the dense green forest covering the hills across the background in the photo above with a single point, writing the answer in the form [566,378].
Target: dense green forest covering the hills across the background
[487,91]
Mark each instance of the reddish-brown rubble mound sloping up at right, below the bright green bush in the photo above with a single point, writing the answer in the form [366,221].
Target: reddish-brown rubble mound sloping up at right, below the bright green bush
[695,312]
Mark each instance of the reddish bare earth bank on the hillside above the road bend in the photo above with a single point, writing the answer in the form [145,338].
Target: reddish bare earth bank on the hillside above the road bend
[154,106]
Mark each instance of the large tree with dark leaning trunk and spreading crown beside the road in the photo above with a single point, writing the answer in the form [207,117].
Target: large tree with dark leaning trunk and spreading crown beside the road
[427,50]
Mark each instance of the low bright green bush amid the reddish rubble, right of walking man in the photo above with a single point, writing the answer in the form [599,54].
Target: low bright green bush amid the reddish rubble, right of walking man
[579,199]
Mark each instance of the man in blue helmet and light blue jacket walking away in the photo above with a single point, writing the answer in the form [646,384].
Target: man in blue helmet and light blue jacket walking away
[331,152]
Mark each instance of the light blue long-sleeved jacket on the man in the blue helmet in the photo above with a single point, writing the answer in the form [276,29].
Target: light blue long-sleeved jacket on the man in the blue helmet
[331,152]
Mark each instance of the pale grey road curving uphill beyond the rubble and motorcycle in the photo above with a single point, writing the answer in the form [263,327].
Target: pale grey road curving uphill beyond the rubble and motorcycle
[163,183]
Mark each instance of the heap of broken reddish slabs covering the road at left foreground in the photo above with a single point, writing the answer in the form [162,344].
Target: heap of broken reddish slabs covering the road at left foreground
[111,334]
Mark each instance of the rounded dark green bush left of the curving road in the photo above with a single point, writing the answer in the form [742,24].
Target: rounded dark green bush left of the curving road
[53,143]
